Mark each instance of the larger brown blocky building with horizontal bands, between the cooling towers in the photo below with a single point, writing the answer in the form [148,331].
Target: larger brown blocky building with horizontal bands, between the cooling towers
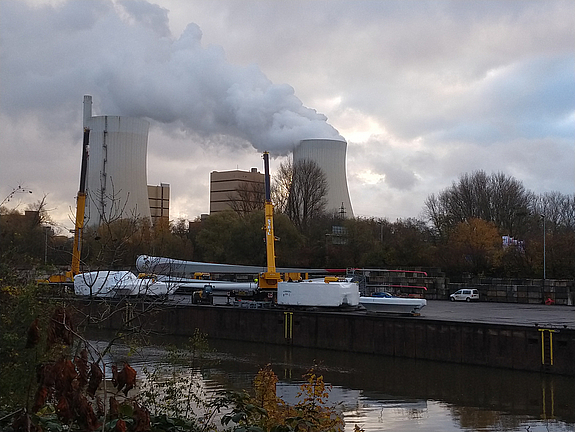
[230,190]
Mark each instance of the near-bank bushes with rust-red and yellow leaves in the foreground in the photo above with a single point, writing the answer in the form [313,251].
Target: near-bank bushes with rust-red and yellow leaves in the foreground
[53,379]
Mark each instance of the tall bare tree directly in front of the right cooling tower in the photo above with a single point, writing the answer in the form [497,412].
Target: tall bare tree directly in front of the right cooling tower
[301,191]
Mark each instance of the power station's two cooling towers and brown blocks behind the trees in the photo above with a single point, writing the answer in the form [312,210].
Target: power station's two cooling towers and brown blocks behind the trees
[117,173]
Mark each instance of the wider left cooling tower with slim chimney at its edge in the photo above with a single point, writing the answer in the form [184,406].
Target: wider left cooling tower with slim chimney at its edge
[117,179]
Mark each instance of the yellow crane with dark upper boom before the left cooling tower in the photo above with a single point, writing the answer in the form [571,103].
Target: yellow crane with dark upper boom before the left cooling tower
[79,225]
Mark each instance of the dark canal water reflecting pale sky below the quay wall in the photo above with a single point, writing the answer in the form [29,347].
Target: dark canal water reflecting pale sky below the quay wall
[389,394]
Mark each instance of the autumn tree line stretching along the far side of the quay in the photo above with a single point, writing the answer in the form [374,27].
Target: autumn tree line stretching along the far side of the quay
[460,231]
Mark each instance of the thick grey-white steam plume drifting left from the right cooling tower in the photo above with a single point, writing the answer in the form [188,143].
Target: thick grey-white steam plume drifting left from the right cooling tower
[125,56]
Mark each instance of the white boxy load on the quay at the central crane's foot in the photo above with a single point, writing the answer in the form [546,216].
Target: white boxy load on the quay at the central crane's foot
[318,292]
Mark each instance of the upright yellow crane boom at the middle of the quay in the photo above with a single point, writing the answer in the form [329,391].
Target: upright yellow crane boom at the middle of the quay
[270,278]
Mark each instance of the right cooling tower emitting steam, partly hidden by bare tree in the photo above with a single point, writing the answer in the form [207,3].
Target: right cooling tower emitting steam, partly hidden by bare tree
[329,154]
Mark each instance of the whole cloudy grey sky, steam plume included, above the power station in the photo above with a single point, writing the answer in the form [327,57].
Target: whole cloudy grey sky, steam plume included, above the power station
[423,91]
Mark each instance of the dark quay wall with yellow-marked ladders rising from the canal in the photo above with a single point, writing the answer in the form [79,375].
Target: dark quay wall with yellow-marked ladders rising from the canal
[551,350]
